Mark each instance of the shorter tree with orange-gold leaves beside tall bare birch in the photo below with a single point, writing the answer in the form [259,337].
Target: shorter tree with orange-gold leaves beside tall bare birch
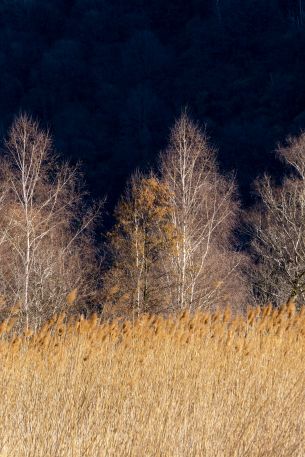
[140,245]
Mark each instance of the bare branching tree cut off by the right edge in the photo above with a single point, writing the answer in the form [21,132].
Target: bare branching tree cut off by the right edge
[277,226]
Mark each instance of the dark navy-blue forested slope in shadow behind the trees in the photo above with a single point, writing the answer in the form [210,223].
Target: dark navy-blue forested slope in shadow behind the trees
[109,78]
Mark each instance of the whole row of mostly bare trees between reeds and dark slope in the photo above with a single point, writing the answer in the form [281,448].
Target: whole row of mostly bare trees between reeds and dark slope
[175,244]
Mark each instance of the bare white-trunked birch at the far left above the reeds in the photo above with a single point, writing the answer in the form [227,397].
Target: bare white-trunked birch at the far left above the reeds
[46,244]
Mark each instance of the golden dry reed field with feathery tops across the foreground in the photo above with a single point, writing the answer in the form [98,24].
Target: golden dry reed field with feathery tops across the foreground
[202,385]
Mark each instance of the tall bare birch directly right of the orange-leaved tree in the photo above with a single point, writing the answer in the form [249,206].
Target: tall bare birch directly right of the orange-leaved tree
[204,271]
